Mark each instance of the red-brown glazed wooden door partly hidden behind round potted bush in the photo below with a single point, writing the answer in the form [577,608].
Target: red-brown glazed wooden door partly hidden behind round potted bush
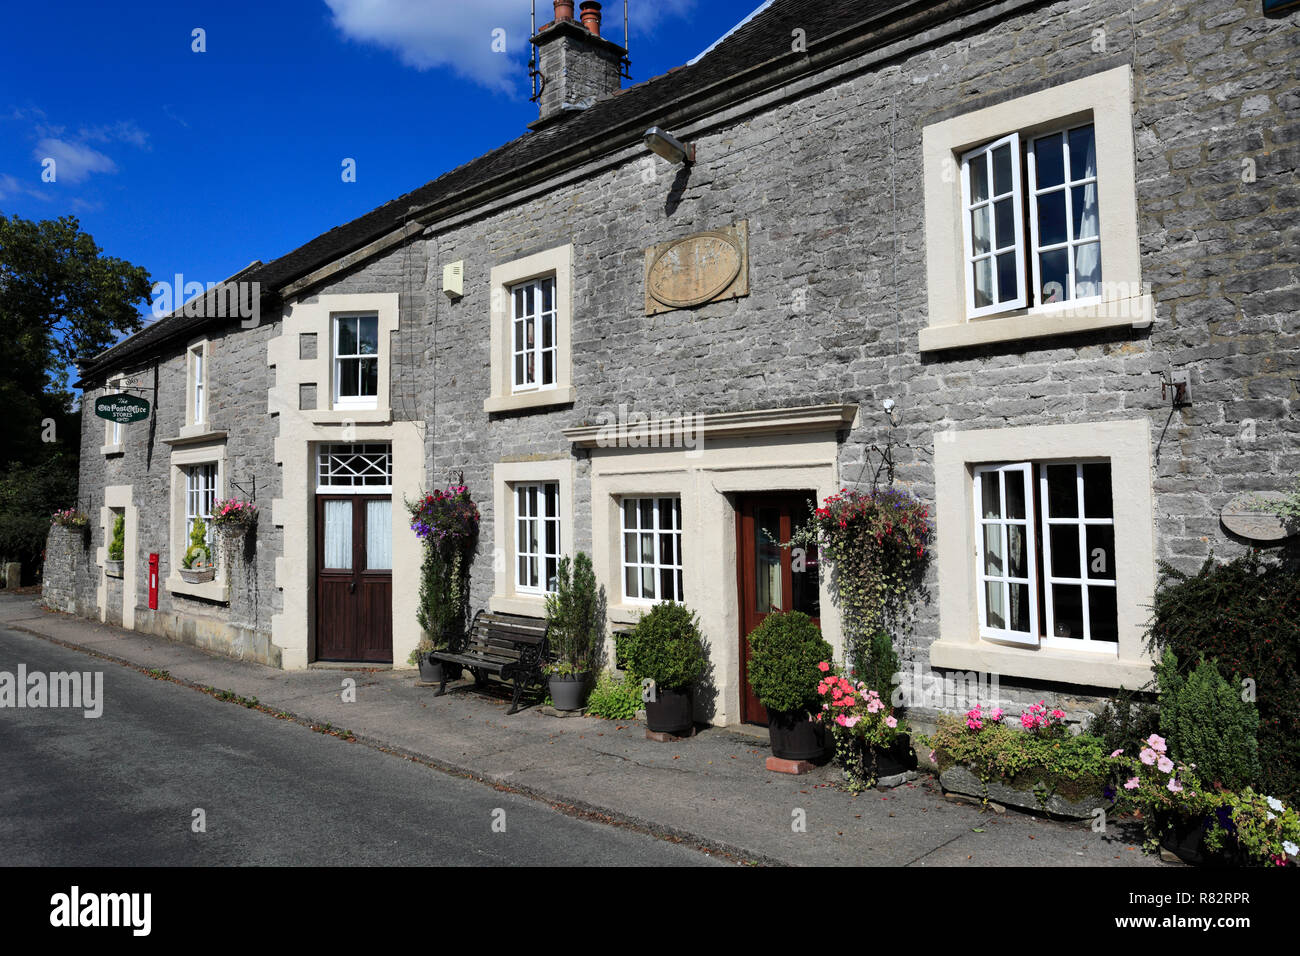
[772,578]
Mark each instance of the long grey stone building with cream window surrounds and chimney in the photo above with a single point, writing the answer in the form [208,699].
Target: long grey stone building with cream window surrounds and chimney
[1034,262]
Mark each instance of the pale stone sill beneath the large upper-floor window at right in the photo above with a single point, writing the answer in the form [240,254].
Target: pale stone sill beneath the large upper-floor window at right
[1037,323]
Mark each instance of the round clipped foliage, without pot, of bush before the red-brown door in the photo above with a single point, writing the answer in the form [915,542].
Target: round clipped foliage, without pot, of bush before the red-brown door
[787,648]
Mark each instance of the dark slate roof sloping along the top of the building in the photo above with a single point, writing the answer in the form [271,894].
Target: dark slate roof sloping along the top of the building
[761,45]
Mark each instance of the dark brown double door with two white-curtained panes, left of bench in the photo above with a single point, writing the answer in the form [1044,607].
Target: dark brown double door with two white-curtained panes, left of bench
[354,578]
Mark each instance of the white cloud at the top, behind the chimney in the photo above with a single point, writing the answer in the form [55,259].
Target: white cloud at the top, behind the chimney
[458,37]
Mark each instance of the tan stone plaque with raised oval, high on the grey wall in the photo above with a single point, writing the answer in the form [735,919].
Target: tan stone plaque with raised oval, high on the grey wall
[699,269]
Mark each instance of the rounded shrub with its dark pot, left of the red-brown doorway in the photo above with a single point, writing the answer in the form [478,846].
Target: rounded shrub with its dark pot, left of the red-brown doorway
[668,650]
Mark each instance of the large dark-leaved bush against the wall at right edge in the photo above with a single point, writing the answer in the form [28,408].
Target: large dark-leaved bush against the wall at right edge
[1246,615]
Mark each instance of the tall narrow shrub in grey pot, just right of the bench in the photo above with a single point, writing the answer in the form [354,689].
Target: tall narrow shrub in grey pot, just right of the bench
[574,622]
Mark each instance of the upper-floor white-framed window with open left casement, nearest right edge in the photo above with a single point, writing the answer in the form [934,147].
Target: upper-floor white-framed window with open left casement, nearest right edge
[1059,258]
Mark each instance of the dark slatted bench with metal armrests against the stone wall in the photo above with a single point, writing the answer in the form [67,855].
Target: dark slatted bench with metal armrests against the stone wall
[509,647]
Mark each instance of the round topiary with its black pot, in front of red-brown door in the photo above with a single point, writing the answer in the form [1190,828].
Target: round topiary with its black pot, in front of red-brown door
[783,671]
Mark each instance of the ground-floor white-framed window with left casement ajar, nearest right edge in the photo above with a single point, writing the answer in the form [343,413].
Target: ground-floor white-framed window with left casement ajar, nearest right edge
[1046,555]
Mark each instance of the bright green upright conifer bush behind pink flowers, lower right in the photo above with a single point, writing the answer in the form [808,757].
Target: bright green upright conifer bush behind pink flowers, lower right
[1208,725]
